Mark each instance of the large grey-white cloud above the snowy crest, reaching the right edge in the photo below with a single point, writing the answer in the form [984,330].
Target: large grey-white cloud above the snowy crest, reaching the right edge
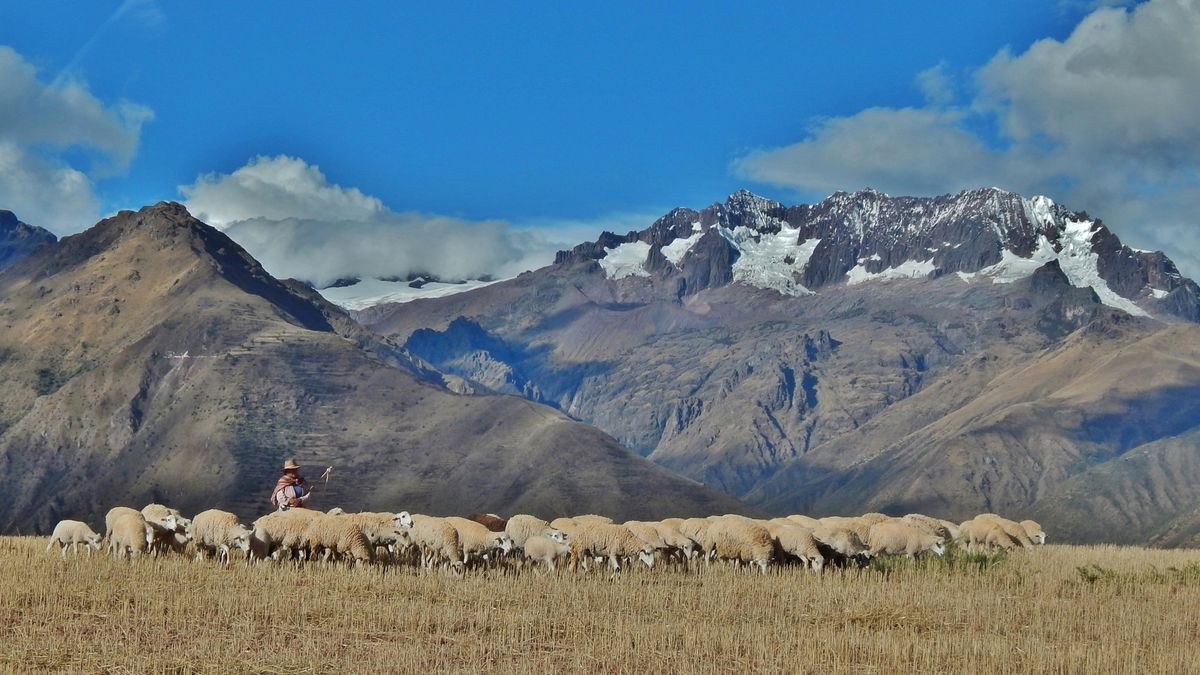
[1103,121]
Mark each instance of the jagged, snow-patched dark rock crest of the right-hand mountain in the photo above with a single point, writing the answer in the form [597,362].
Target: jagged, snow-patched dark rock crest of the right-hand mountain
[982,236]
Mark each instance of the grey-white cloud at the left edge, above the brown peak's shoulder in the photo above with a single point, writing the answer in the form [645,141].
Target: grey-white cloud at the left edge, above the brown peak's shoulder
[39,123]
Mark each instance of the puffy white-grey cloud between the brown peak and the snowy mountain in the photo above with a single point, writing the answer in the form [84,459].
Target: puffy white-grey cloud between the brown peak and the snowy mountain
[299,225]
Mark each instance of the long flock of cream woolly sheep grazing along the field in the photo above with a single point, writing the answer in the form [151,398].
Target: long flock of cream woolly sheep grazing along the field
[488,540]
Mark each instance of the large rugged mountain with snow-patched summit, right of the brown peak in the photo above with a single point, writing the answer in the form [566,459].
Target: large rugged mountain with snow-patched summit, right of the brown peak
[807,357]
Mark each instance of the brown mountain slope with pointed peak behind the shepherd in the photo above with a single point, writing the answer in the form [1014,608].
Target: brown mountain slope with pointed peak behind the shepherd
[152,359]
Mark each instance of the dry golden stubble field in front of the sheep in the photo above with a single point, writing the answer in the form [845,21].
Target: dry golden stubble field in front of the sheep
[1132,611]
